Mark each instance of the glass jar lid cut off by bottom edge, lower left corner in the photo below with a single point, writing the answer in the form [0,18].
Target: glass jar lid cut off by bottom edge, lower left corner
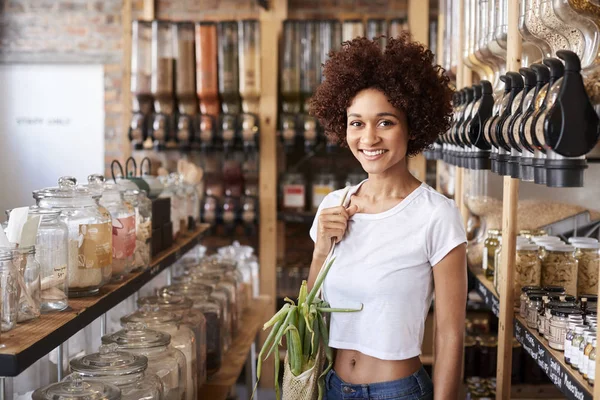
[78,389]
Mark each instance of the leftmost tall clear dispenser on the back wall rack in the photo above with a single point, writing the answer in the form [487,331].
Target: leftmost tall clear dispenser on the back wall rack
[141,72]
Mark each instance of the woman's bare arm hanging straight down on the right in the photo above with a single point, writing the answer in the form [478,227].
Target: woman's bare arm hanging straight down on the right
[450,280]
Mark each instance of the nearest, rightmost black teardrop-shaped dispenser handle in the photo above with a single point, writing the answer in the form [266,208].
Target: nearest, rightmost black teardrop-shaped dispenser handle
[571,127]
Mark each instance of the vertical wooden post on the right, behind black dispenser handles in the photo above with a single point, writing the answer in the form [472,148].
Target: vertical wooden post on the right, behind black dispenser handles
[509,233]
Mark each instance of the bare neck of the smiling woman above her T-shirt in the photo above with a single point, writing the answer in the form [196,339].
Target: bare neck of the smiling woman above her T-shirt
[394,183]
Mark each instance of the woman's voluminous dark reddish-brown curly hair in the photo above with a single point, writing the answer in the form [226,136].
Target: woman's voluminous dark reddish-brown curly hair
[404,72]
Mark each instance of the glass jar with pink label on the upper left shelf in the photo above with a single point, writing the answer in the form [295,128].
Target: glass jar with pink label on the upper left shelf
[123,229]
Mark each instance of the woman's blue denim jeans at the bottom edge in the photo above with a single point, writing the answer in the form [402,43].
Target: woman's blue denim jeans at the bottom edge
[418,386]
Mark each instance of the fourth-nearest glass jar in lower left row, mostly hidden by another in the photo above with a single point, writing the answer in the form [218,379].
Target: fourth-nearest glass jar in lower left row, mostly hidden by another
[182,339]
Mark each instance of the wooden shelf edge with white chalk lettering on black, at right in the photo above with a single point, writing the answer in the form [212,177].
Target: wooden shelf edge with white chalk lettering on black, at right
[569,381]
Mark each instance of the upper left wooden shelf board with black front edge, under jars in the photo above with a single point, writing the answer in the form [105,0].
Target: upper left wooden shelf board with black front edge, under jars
[24,345]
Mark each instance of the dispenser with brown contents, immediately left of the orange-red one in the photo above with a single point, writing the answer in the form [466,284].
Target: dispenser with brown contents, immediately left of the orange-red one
[185,83]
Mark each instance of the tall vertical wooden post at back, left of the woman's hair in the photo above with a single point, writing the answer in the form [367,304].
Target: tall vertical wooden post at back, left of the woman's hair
[271,23]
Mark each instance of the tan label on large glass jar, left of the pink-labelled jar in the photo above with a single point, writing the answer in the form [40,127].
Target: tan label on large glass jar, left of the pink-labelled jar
[94,246]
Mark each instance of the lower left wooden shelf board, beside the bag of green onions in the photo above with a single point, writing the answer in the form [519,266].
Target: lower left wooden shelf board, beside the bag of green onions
[234,360]
